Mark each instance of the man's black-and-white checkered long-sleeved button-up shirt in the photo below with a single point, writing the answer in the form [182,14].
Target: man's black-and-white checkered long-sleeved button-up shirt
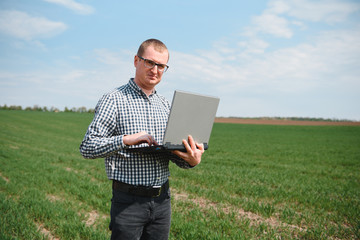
[124,111]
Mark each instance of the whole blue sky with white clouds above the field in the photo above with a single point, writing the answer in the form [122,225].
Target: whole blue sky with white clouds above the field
[276,58]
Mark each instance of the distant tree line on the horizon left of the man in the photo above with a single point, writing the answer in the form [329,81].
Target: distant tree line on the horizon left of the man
[46,109]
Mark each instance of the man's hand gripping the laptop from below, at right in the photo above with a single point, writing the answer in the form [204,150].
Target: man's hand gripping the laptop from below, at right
[193,152]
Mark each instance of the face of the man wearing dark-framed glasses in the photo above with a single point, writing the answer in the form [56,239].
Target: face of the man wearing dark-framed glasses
[147,78]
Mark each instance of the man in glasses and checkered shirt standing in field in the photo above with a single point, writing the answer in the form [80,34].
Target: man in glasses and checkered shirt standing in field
[136,114]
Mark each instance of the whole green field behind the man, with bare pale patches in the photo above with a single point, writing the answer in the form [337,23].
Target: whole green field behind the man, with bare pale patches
[255,182]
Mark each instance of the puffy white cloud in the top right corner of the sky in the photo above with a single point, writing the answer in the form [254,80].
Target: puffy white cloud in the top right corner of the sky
[281,15]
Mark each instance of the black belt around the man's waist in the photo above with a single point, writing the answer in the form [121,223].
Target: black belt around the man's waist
[141,191]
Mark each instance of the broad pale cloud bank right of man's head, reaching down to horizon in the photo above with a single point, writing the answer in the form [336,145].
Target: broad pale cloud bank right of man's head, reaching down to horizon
[316,78]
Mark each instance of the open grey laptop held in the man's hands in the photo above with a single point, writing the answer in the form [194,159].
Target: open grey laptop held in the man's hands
[190,114]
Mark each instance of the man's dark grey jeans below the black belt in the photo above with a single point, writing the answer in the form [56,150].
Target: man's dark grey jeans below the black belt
[134,217]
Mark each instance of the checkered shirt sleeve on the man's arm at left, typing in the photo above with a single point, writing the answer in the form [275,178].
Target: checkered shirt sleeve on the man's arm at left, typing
[100,139]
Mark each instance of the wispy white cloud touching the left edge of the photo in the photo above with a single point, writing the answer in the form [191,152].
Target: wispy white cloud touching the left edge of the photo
[23,26]
